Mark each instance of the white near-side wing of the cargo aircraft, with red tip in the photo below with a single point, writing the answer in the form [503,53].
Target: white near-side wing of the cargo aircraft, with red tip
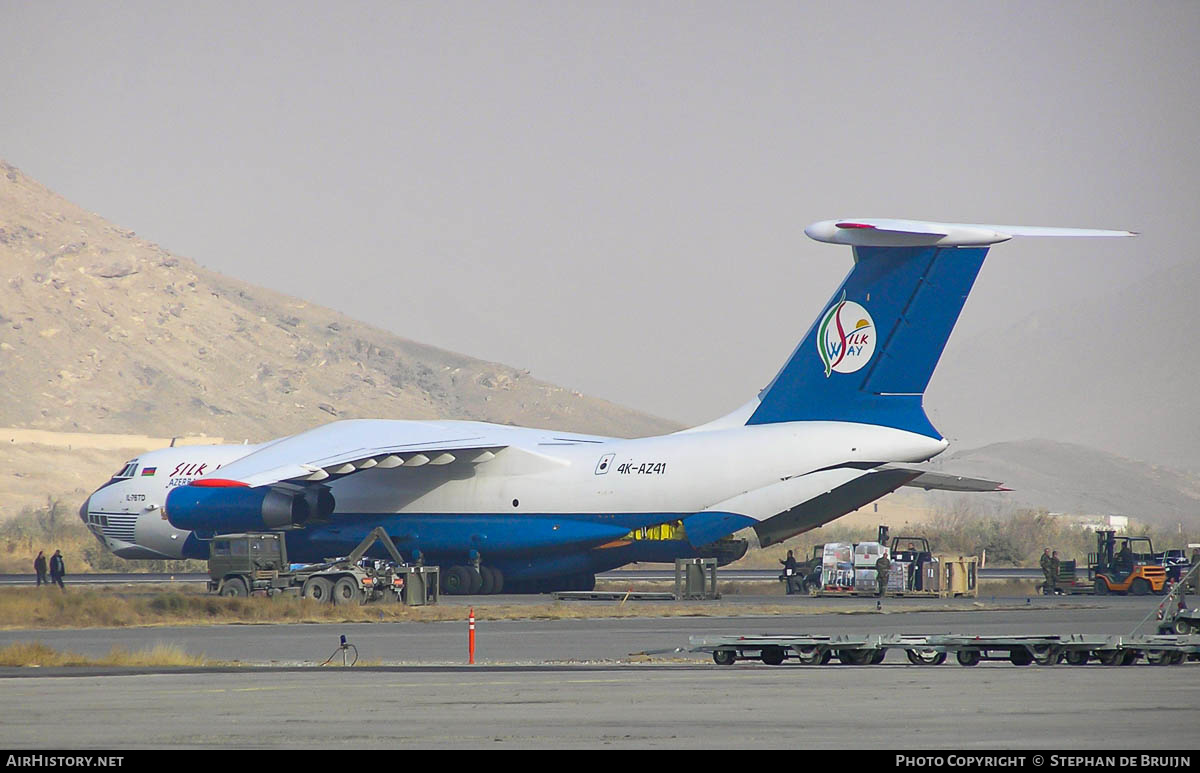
[343,448]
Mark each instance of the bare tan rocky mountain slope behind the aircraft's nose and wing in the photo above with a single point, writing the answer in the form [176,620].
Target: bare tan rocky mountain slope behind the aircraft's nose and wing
[103,332]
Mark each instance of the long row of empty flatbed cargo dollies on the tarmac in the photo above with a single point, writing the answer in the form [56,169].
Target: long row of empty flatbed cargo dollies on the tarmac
[969,651]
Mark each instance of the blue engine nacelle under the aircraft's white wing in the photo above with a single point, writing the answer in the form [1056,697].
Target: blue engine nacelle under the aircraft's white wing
[224,510]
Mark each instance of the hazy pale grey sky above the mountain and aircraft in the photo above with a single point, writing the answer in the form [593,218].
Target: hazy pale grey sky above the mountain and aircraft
[613,195]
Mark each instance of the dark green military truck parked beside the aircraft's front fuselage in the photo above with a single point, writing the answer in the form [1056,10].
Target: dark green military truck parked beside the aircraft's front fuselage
[241,565]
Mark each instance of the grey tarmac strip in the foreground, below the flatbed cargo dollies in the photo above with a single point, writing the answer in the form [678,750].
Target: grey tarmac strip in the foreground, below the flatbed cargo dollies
[645,708]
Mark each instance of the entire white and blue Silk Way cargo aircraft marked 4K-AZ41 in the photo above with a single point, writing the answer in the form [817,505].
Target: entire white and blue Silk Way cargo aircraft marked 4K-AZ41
[515,510]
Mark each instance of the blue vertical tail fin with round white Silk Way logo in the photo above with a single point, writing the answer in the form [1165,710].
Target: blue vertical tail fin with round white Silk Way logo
[871,355]
